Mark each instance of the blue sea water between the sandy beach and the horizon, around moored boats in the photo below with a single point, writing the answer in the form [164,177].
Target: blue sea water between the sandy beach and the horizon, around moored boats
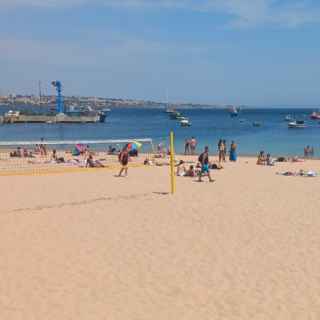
[208,126]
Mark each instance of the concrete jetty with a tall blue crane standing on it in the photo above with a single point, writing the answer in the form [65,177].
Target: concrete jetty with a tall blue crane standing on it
[60,115]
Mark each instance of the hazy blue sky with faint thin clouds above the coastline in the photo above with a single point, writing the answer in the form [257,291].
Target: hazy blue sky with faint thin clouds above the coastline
[256,52]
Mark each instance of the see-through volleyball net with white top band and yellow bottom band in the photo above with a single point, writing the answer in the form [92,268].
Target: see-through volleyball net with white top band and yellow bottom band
[36,157]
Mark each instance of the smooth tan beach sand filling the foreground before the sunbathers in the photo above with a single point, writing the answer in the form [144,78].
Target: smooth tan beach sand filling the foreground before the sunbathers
[92,246]
